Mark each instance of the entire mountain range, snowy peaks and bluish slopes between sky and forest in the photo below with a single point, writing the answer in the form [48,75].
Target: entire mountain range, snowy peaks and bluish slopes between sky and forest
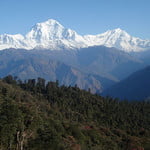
[102,63]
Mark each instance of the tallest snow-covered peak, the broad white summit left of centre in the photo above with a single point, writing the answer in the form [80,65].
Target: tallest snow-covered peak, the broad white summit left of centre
[52,35]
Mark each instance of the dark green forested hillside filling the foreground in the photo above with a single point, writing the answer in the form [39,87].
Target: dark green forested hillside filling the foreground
[35,115]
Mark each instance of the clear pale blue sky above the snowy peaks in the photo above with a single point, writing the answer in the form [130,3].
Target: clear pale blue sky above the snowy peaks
[83,16]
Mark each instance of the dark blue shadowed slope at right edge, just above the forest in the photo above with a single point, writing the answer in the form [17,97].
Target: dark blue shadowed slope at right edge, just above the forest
[134,87]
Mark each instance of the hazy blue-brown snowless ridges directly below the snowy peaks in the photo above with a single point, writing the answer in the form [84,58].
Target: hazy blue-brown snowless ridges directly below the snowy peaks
[95,68]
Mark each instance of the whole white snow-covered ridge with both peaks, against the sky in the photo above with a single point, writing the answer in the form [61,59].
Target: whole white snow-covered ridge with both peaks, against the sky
[52,35]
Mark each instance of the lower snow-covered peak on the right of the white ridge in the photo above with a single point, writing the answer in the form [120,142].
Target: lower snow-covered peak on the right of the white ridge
[119,39]
